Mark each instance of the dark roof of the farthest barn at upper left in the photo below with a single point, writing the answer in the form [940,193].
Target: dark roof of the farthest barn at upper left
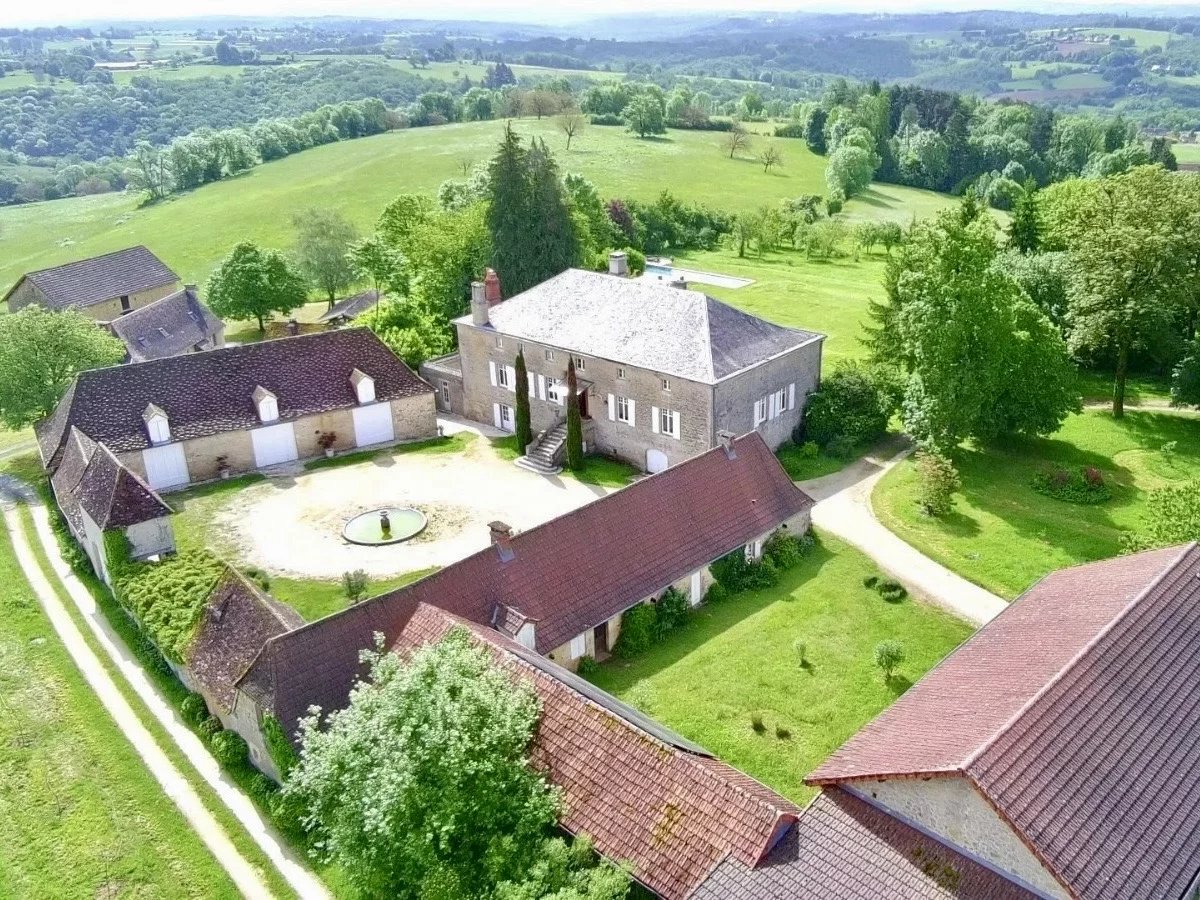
[92,281]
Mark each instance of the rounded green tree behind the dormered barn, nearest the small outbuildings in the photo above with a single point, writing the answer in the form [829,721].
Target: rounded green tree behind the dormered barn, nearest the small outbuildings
[254,284]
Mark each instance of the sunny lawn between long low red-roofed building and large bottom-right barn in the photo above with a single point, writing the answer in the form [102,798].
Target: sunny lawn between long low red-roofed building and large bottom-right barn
[736,659]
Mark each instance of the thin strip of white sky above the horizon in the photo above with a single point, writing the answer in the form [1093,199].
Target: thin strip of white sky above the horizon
[51,13]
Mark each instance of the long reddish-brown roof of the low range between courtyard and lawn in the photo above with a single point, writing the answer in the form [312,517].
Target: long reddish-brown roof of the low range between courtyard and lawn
[567,575]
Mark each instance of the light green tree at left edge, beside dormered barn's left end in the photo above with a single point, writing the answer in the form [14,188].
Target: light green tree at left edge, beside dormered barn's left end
[41,352]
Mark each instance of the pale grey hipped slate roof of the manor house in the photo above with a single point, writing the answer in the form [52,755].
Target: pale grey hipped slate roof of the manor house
[656,327]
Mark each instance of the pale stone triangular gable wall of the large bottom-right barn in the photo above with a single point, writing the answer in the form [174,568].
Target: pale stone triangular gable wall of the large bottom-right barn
[953,809]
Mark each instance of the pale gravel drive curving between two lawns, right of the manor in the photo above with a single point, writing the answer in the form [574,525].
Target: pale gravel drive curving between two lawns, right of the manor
[844,508]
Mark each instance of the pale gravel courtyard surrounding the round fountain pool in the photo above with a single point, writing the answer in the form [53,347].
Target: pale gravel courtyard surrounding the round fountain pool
[292,525]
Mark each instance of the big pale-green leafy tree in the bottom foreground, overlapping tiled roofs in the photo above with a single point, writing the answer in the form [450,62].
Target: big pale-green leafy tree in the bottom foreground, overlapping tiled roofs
[422,785]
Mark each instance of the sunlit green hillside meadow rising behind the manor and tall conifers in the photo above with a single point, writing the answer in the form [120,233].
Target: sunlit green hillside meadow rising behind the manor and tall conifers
[194,232]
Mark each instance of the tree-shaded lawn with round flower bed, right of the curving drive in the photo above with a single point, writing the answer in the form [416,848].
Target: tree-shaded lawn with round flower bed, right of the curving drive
[1004,536]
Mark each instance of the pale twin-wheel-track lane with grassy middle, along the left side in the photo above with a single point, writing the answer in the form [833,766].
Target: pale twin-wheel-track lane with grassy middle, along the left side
[175,784]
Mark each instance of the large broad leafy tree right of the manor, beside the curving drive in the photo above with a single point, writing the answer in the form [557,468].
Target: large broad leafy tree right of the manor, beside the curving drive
[983,362]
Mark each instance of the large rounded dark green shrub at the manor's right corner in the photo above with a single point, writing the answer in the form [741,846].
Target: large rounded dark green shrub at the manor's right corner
[851,409]
